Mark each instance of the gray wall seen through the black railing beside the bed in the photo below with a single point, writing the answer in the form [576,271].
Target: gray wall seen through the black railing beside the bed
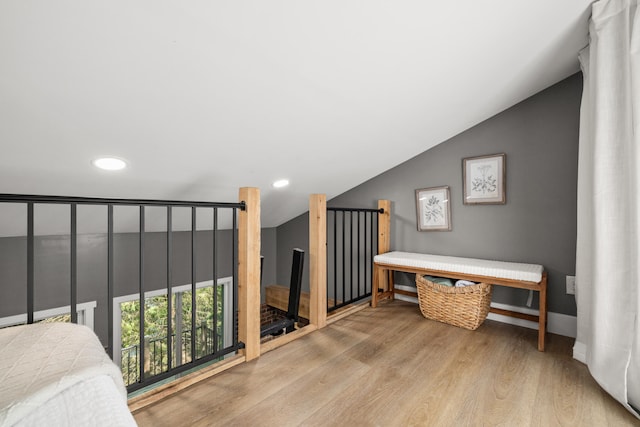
[52,267]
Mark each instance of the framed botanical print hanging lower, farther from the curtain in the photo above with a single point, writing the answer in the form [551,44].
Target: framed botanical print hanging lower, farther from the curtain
[433,209]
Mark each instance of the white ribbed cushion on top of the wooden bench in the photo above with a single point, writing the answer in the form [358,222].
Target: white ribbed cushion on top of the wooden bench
[472,266]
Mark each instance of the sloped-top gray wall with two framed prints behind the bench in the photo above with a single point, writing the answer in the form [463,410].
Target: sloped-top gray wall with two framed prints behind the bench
[536,225]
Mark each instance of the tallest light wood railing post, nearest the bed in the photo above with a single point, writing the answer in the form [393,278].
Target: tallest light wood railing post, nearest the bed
[249,272]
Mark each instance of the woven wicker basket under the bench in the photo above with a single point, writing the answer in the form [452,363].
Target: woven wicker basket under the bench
[466,307]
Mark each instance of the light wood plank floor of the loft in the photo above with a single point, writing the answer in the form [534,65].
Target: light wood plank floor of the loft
[391,367]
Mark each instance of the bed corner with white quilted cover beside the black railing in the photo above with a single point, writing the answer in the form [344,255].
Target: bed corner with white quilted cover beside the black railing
[59,374]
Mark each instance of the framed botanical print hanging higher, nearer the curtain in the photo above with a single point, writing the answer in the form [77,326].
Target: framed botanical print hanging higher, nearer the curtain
[484,180]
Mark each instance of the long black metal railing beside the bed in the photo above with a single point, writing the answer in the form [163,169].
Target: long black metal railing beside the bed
[144,378]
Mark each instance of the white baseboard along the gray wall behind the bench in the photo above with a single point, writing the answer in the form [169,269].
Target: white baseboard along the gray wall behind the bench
[557,323]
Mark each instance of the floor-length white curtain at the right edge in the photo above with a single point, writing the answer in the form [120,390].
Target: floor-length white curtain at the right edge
[607,268]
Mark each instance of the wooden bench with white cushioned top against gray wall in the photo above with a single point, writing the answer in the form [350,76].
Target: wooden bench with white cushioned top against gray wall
[514,275]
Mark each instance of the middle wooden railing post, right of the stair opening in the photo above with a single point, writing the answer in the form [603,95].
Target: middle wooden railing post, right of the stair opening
[318,260]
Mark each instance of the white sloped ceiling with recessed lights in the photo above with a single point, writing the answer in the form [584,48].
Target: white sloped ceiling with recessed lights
[203,97]
